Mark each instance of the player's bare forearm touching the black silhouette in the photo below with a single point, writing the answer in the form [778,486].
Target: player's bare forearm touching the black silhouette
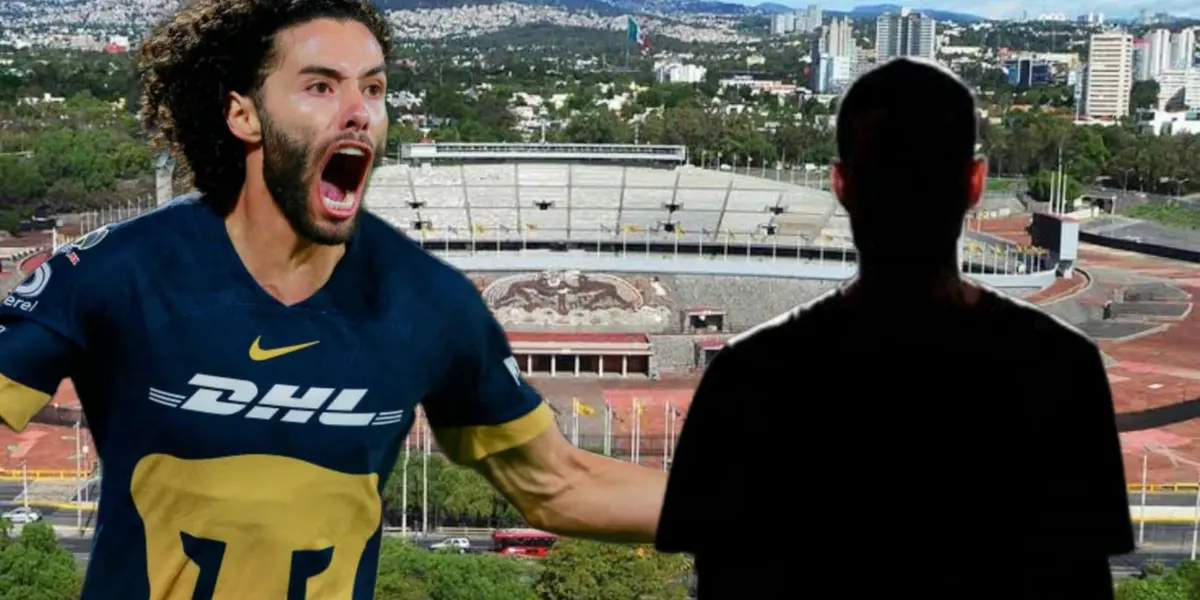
[607,501]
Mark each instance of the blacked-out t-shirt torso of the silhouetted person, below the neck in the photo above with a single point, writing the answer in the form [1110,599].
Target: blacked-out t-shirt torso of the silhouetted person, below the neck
[902,448]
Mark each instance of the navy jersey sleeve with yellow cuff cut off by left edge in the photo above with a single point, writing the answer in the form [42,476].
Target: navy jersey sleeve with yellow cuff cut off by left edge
[44,326]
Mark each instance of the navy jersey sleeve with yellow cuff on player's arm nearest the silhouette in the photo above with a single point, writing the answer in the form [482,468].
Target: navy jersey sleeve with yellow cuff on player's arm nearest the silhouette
[483,406]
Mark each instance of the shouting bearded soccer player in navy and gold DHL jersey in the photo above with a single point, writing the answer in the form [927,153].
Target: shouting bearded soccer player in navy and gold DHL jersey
[250,358]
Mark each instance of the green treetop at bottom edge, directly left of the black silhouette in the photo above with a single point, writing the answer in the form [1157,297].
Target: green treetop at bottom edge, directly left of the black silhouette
[586,571]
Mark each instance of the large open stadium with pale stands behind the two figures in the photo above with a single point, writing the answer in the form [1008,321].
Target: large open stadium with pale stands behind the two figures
[619,271]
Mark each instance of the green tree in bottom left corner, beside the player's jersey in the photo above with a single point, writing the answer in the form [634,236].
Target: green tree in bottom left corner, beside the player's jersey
[34,567]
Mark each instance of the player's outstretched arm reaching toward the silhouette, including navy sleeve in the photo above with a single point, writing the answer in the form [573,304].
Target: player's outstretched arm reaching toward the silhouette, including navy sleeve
[485,416]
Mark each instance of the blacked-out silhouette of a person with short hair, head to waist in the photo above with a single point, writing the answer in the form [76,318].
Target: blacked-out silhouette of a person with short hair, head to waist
[911,433]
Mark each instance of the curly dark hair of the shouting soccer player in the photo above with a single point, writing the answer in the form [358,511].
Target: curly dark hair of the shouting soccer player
[191,63]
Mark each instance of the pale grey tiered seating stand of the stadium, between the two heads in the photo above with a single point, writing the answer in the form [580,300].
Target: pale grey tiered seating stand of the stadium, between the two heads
[598,201]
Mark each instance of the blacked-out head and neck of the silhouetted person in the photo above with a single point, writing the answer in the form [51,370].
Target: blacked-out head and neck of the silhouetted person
[908,170]
